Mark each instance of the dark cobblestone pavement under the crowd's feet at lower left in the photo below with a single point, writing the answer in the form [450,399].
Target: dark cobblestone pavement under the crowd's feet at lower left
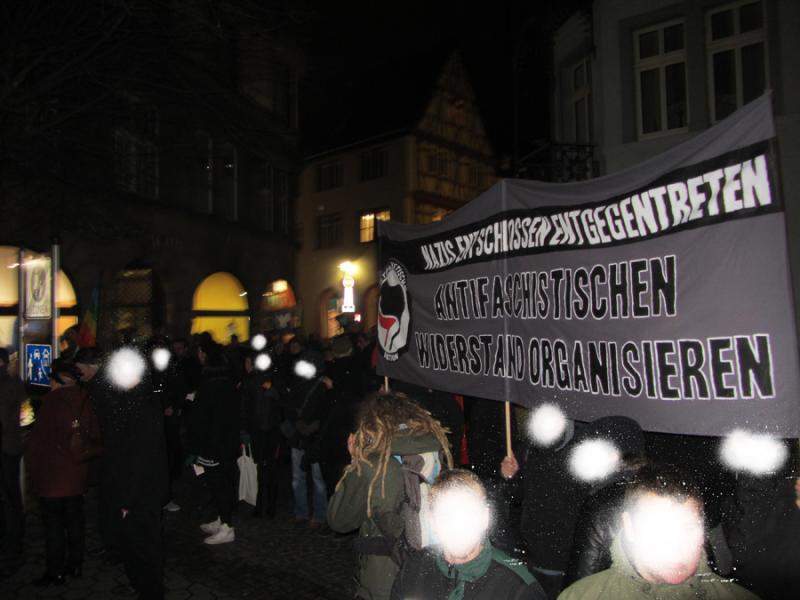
[270,559]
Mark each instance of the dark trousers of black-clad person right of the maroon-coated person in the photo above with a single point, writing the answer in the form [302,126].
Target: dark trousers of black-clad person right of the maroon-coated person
[142,550]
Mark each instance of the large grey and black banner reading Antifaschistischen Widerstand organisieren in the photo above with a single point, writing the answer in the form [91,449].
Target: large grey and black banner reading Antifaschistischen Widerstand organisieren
[661,292]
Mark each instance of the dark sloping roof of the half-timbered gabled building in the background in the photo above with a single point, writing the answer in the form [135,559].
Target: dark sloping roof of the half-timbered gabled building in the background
[385,102]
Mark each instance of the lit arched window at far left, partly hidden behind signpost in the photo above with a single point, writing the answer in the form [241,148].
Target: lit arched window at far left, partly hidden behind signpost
[9,298]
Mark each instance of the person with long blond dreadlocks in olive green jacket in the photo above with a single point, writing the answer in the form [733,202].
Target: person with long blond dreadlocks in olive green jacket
[396,453]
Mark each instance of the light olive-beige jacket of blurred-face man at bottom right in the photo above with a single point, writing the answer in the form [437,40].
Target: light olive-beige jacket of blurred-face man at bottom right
[622,582]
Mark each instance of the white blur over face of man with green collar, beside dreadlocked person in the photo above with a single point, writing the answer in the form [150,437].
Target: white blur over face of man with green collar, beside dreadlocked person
[460,520]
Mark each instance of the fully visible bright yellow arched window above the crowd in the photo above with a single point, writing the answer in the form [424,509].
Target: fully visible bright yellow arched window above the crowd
[220,307]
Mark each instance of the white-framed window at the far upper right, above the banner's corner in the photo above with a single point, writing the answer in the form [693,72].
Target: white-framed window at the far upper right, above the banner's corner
[735,42]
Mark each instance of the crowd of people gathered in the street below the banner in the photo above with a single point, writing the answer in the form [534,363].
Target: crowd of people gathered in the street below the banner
[440,508]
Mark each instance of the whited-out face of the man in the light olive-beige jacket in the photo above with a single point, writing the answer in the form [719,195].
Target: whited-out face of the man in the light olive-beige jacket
[664,538]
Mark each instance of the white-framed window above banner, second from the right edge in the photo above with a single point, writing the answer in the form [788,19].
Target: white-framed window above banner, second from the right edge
[660,71]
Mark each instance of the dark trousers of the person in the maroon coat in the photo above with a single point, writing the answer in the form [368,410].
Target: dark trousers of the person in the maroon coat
[64,532]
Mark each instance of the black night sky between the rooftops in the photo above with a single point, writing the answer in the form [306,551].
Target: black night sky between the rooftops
[350,38]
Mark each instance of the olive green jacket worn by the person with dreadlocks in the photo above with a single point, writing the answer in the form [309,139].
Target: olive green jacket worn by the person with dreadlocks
[347,510]
